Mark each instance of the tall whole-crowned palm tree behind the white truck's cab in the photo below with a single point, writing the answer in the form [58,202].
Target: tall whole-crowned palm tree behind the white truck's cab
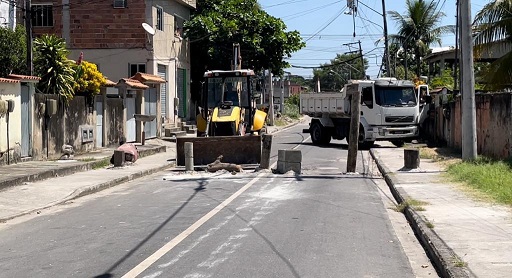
[418,28]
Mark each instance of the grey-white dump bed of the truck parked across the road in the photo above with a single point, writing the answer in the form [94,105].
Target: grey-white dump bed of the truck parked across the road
[317,104]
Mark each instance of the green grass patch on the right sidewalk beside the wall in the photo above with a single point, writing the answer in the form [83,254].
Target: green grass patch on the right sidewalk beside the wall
[491,177]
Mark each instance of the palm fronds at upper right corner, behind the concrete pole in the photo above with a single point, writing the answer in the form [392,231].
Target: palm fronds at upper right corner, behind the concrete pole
[493,24]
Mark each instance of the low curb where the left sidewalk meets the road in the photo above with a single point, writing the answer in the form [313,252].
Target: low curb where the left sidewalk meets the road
[81,192]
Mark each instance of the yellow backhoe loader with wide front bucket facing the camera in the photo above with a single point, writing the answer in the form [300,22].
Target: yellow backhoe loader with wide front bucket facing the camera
[229,124]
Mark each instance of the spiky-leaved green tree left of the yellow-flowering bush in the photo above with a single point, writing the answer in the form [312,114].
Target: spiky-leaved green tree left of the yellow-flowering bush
[53,66]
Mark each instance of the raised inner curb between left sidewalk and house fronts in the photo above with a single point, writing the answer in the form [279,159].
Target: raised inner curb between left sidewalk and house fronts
[69,170]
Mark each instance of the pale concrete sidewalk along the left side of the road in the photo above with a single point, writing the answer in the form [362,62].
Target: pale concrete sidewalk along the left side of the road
[31,186]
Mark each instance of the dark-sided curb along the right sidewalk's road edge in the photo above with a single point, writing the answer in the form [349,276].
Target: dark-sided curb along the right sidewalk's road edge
[441,255]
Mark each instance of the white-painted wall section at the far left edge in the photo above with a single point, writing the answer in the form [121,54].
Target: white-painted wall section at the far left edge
[9,91]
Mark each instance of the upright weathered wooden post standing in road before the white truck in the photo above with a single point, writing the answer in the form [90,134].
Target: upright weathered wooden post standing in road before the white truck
[353,91]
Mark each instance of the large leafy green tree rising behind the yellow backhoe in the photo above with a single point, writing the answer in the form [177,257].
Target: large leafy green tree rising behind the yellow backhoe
[217,24]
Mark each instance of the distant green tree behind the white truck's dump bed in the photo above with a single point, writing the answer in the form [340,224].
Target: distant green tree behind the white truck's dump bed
[334,75]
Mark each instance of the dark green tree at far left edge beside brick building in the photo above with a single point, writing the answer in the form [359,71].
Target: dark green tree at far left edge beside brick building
[13,51]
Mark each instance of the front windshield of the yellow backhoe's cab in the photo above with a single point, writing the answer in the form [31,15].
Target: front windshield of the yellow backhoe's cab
[232,89]
